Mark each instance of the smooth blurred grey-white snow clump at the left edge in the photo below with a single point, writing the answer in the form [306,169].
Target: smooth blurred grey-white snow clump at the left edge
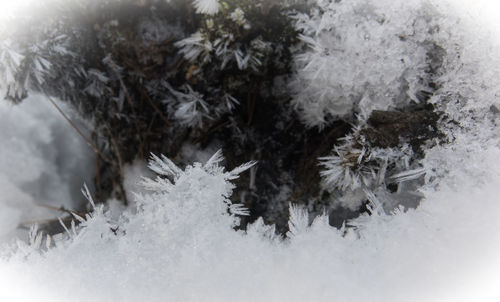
[39,156]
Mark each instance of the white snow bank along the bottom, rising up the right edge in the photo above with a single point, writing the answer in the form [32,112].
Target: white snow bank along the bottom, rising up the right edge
[179,244]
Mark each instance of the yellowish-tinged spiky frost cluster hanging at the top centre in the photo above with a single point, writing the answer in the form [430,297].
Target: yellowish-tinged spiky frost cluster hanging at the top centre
[233,36]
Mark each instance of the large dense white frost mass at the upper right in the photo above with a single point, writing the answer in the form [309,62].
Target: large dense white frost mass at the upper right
[364,55]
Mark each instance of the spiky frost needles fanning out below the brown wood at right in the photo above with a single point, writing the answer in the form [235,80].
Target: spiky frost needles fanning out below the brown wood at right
[355,170]
